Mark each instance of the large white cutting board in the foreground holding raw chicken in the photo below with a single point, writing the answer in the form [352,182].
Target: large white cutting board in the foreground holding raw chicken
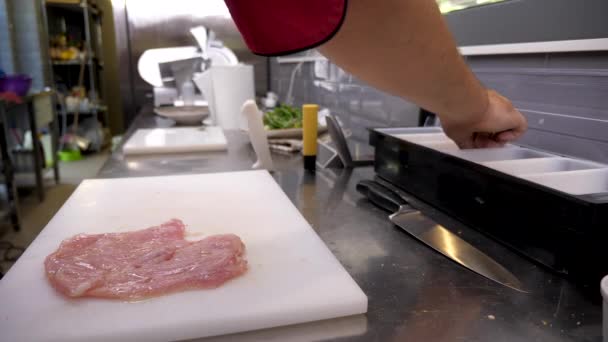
[293,277]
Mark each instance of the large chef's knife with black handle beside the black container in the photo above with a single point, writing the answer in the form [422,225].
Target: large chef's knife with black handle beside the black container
[434,235]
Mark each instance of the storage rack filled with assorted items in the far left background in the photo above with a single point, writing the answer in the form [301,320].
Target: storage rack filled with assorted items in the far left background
[74,31]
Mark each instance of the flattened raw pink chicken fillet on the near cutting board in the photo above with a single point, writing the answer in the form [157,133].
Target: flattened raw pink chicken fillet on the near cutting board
[144,263]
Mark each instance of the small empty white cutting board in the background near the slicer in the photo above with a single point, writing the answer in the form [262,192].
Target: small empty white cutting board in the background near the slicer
[176,140]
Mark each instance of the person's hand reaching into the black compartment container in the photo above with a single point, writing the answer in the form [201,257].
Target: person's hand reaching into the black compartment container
[499,124]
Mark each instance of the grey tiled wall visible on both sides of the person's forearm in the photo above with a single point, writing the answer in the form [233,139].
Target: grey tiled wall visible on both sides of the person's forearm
[563,95]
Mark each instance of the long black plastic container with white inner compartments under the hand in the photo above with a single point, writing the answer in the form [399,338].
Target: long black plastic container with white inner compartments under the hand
[565,231]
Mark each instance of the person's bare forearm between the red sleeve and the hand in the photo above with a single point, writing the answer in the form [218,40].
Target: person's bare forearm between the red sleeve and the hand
[404,47]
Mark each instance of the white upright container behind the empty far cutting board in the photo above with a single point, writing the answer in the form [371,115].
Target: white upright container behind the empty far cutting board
[226,88]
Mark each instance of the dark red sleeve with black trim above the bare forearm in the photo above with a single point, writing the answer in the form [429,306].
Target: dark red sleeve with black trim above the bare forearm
[278,27]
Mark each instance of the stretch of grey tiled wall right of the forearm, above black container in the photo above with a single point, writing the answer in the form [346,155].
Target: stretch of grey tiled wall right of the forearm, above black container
[563,95]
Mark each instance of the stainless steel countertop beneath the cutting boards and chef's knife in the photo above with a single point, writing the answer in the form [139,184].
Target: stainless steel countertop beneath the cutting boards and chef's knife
[415,294]
